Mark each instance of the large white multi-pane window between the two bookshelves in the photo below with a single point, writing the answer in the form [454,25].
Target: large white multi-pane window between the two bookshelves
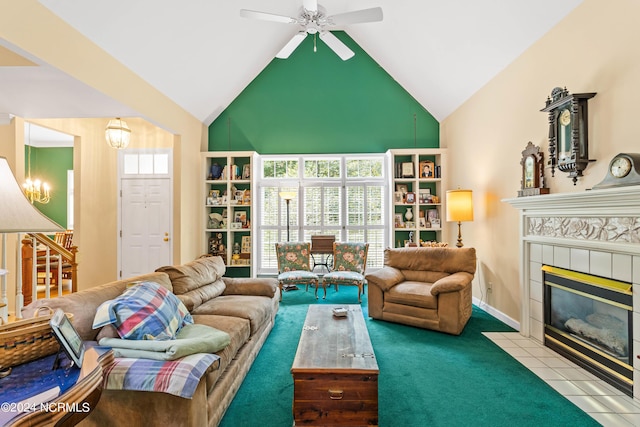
[339,195]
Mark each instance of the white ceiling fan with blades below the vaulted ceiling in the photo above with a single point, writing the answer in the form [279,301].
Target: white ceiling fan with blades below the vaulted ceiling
[314,20]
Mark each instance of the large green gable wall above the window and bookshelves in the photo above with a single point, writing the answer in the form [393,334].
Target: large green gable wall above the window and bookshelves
[313,102]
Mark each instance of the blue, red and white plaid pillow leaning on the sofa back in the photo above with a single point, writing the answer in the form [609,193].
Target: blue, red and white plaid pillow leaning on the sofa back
[146,311]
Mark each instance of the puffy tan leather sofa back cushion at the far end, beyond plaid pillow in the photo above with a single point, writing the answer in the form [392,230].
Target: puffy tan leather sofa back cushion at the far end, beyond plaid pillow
[197,281]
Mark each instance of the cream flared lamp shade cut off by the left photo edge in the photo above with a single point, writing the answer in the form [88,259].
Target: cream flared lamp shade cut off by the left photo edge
[17,214]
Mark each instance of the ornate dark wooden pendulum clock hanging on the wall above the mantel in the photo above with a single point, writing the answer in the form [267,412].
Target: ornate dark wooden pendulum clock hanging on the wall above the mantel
[568,132]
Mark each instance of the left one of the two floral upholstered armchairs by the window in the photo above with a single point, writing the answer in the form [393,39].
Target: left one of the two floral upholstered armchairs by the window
[294,267]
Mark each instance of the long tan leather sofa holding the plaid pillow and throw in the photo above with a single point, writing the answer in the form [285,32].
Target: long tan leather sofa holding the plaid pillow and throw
[244,308]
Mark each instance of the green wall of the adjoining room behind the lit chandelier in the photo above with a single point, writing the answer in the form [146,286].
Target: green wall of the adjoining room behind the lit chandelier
[51,165]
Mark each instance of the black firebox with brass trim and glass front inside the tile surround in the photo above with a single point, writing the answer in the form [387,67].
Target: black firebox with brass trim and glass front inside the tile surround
[589,320]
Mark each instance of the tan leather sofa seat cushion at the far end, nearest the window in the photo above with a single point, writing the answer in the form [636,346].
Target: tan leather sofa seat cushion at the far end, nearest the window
[253,308]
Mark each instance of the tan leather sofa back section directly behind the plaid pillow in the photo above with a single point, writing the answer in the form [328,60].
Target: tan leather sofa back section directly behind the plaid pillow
[83,304]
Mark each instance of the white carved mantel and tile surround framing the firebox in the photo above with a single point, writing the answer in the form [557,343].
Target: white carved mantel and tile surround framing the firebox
[595,232]
